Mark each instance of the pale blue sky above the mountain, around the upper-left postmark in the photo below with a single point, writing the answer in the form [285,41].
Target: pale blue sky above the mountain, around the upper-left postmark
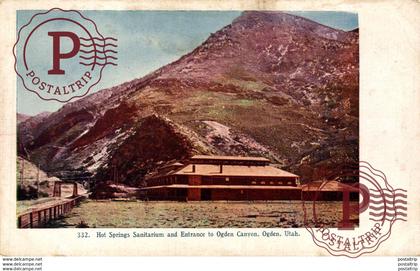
[148,40]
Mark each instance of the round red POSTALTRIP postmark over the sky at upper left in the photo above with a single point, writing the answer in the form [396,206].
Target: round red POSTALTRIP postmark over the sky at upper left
[60,54]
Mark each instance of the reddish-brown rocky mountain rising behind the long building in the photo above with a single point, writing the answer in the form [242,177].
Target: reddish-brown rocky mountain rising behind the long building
[268,84]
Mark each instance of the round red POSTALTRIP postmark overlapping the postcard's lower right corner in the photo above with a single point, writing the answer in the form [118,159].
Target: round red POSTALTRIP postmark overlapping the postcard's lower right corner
[380,206]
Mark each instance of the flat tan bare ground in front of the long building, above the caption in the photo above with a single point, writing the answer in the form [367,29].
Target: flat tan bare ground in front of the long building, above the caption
[140,214]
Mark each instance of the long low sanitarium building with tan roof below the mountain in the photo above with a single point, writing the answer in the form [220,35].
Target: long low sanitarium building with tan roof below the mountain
[221,178]
